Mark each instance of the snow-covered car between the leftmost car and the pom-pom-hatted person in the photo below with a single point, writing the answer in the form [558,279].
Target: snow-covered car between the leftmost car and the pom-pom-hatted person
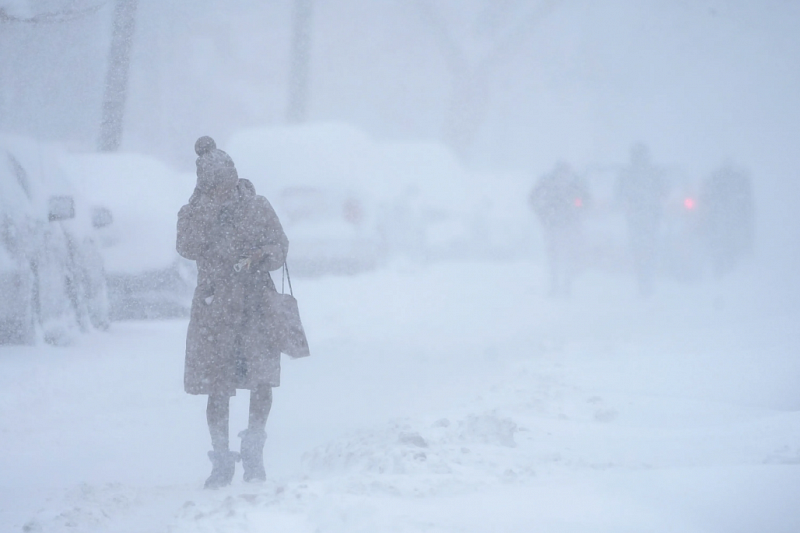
[139,198]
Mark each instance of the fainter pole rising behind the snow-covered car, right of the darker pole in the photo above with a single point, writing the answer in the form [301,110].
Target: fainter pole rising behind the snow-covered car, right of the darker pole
[299,62]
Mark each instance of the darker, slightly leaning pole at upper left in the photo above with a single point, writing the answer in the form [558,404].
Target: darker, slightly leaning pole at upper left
[116,89]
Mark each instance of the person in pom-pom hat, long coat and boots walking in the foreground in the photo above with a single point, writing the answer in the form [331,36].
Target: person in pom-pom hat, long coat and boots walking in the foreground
[235,237]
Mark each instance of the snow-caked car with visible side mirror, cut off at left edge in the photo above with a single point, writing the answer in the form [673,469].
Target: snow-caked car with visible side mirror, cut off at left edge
[51,272]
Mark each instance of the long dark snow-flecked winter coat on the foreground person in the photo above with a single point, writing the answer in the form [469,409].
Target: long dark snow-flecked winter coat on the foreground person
[230,342]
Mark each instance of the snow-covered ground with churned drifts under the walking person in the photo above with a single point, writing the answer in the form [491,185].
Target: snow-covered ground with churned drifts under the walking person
[442,398]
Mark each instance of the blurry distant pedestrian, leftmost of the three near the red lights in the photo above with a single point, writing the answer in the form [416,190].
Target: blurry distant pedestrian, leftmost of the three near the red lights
[559,200]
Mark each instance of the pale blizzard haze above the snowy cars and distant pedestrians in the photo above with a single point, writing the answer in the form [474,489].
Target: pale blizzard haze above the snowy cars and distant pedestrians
[509,86]
